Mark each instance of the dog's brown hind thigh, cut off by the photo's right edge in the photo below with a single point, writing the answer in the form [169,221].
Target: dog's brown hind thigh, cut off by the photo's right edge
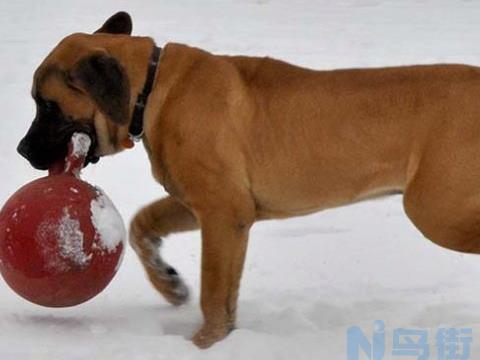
[443,197]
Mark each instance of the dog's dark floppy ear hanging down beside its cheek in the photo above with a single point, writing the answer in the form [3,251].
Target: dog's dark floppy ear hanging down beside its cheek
[105,80]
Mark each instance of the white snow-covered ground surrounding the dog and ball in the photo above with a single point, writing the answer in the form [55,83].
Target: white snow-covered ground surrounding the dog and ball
[306,279]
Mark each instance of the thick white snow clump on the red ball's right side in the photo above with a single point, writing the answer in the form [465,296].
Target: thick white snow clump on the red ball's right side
[107,222]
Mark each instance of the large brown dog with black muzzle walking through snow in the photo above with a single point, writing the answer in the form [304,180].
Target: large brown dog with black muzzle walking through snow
[237,139]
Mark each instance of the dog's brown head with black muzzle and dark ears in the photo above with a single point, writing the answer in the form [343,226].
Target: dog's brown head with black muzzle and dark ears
[80,87]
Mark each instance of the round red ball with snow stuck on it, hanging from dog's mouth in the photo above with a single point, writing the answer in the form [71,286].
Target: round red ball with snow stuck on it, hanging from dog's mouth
[61,241]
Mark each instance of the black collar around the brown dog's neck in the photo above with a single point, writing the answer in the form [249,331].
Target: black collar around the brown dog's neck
[136,126]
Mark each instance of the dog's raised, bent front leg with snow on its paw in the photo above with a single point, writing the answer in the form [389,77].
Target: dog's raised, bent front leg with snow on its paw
[148,227]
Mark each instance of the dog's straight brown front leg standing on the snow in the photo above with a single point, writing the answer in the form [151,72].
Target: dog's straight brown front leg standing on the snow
[225,229]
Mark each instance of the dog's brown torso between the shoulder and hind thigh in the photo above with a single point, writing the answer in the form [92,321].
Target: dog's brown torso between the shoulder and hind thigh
[325,138]
